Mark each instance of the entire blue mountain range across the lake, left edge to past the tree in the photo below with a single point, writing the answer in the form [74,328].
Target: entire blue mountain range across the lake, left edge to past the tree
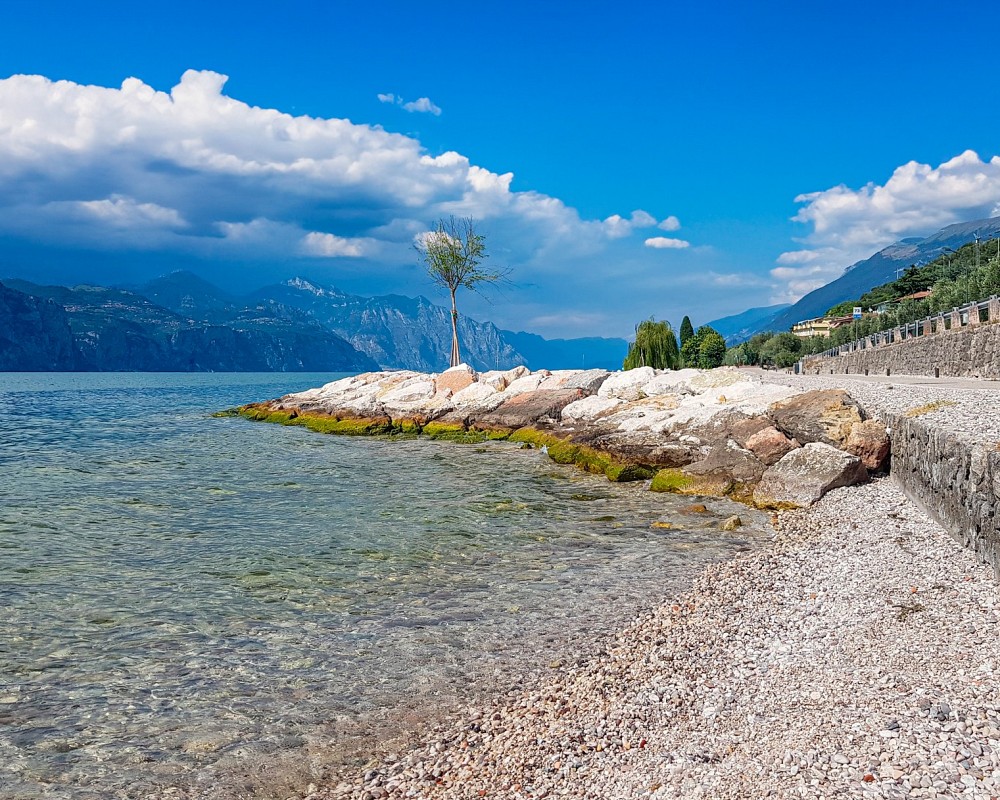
[180,322]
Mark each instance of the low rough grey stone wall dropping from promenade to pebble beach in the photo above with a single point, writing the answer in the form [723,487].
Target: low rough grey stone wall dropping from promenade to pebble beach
[955,481]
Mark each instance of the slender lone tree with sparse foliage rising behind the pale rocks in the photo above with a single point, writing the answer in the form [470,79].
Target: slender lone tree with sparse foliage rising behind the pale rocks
[453,253]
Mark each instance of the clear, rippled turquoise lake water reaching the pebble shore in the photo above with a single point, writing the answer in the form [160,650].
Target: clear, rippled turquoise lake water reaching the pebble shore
[188,601]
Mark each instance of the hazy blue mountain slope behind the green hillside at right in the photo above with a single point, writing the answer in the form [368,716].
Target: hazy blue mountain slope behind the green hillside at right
[878,269]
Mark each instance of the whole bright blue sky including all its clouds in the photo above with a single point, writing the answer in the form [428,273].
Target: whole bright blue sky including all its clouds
[623,161]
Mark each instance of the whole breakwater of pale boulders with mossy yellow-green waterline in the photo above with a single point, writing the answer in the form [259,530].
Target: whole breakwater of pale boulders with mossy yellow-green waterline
[717,432]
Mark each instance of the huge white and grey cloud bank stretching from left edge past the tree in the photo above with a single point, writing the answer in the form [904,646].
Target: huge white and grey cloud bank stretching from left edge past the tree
[193,173]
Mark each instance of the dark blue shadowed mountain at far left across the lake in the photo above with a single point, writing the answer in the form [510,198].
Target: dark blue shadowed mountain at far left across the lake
[118,330]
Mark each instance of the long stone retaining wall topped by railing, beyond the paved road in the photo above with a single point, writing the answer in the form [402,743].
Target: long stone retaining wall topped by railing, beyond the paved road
[968,352]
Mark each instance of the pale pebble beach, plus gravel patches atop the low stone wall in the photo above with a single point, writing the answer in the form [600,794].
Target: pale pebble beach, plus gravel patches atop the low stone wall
[854,656]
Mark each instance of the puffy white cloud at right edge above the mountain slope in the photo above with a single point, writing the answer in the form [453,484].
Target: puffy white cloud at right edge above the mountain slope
[851,224]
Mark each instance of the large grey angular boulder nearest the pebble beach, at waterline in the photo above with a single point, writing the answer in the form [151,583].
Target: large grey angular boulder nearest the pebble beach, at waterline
[805,474]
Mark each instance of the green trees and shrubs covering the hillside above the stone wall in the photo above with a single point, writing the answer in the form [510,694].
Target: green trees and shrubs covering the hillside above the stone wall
[954,279]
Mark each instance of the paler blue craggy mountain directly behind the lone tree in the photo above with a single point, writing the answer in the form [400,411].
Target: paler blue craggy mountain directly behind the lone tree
[398,332]
